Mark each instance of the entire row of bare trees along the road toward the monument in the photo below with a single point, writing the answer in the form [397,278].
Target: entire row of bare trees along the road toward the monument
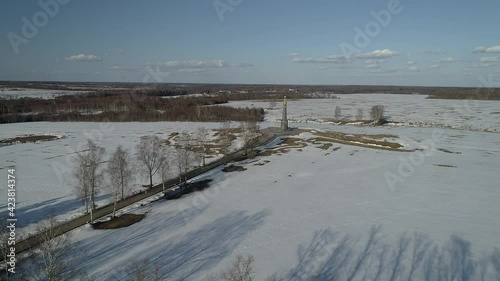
[153,159]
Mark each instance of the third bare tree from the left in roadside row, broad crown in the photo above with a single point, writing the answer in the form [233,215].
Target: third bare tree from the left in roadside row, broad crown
[149,154]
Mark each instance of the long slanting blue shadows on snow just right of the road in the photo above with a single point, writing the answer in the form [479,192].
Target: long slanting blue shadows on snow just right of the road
[181,256]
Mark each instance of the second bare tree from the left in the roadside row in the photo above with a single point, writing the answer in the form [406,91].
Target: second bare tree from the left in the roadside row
[120,173]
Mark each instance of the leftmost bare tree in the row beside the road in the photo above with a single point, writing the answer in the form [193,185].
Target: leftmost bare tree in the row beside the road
[89,174]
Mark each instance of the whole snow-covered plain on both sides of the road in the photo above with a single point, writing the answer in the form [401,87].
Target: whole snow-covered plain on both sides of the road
[276,210]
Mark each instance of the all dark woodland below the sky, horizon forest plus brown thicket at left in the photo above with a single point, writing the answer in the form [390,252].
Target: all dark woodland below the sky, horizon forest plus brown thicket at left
[125,102]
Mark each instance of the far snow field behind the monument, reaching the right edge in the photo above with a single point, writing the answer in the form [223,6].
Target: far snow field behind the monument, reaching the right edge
[408,110]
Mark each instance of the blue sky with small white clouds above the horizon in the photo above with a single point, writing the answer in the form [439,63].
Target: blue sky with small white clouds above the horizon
[424,42]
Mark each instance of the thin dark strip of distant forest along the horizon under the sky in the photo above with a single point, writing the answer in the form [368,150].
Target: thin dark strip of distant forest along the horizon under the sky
[238,92]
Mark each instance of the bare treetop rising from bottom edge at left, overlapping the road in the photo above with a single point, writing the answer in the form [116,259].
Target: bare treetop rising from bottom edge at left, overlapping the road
[54,258]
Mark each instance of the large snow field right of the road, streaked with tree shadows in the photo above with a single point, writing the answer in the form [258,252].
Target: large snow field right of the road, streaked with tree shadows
[306,210]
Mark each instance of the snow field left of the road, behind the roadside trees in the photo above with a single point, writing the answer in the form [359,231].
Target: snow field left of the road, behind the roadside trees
[44,169]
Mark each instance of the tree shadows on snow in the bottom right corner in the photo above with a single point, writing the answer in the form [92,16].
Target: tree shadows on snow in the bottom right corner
[411,257]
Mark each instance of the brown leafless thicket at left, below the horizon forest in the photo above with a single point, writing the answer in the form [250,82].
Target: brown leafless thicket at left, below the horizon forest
[124,107]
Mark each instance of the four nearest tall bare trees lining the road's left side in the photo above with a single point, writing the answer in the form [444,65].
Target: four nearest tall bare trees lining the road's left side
[153,159]
